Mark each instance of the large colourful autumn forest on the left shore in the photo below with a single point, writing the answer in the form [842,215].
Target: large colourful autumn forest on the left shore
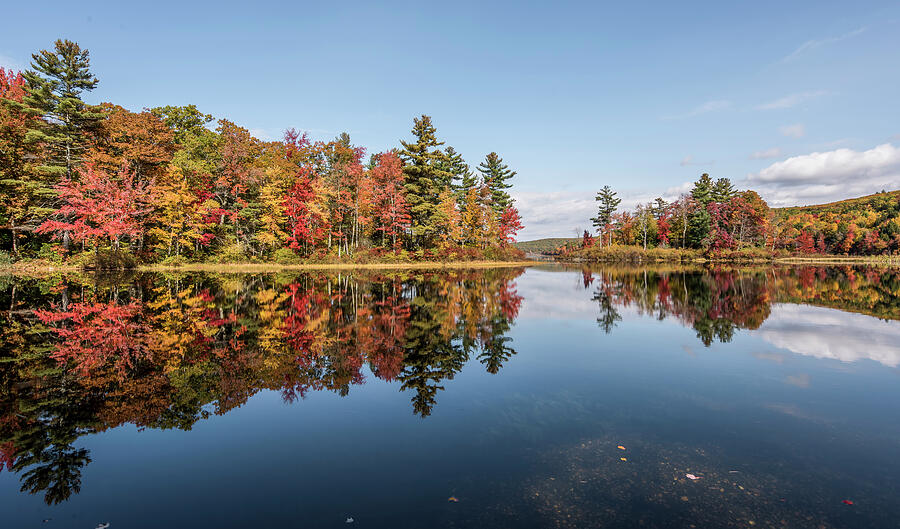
[100,185]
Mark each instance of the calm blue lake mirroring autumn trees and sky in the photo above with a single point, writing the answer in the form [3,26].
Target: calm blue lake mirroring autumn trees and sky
[552,396]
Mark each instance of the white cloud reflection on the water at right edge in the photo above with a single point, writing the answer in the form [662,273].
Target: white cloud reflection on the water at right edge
[827,333]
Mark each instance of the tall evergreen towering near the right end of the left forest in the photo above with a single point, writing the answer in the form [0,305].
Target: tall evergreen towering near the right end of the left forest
[425,179]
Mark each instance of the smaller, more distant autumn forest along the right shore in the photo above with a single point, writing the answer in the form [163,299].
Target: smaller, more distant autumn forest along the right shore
[715,218]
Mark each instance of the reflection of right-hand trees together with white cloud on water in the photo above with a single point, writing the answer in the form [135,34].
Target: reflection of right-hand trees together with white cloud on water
[719,301]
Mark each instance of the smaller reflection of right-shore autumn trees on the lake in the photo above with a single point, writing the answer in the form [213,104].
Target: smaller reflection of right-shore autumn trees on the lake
[716,302]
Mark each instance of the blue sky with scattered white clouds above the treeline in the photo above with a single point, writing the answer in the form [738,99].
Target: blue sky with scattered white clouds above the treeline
[796,99]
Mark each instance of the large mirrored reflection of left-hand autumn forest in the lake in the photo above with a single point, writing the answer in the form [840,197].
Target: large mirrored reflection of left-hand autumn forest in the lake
[81,356]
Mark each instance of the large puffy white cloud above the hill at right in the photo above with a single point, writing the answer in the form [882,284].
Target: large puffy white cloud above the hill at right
[828,176]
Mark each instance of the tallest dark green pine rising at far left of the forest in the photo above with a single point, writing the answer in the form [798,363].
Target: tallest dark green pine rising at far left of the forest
[54,89]
